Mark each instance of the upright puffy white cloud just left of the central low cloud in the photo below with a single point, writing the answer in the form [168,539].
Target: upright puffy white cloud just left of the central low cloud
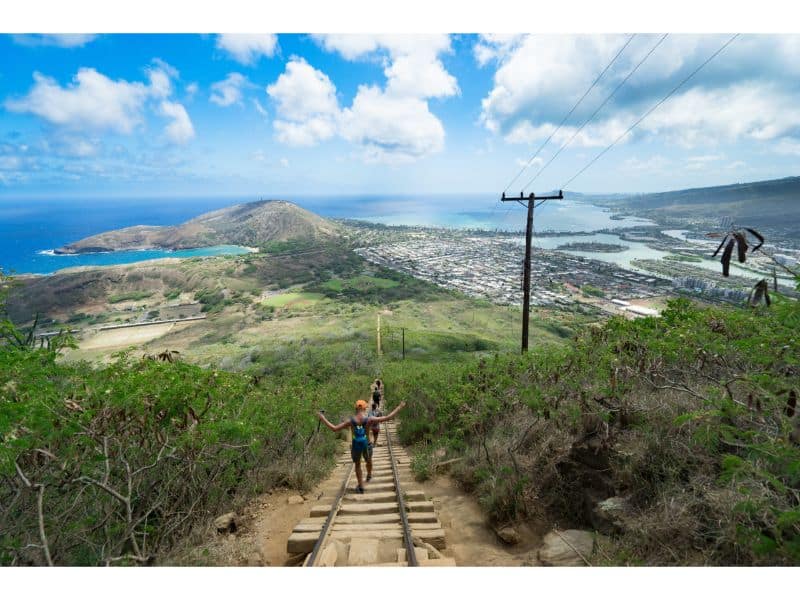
[306,104]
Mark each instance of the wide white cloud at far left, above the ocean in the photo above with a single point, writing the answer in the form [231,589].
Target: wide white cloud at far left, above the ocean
[92,100]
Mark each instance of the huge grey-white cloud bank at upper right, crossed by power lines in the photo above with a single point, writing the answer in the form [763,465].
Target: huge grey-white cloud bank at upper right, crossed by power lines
[749,92]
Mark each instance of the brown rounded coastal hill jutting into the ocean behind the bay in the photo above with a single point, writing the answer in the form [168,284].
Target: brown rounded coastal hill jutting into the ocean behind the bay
[249,224]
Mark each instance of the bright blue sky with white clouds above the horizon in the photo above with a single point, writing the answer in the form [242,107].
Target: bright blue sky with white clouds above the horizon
[282,115]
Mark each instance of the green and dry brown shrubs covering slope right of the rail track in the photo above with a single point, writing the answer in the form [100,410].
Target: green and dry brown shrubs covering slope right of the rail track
[689,419]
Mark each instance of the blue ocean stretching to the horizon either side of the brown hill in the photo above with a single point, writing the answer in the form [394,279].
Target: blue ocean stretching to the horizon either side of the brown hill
[31,229]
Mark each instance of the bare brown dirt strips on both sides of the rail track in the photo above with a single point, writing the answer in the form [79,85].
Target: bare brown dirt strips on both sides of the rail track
[264,527]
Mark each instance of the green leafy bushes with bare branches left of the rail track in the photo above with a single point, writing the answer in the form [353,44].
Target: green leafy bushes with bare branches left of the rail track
[113,465]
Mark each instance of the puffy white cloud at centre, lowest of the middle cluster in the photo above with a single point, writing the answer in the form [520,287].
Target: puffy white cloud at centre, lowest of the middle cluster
[391,128]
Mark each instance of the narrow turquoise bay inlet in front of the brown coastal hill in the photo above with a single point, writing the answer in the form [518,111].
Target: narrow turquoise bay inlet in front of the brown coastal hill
[46,261]
